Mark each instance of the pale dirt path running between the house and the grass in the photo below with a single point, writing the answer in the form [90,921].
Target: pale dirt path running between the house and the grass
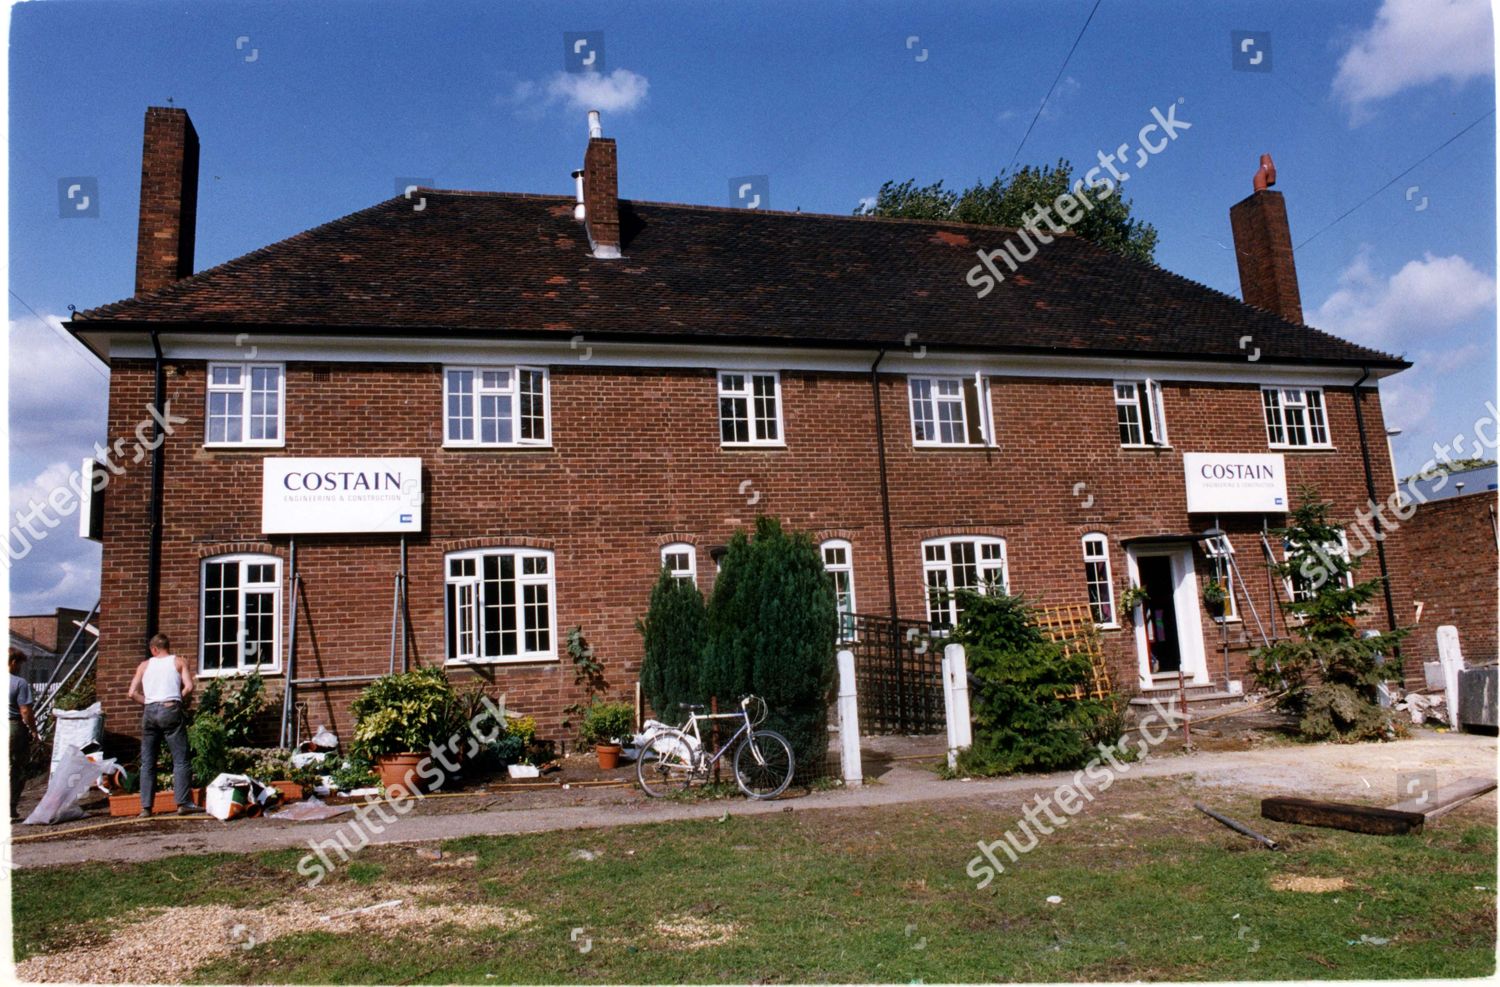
[1363,773]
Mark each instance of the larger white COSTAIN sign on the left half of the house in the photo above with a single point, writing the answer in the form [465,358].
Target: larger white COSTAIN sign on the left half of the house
[365,496]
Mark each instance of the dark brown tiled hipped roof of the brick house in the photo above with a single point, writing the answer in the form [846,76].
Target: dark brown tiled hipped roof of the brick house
[502,263]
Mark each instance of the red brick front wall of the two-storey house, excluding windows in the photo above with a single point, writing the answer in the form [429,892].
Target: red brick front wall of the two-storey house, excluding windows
[635,464]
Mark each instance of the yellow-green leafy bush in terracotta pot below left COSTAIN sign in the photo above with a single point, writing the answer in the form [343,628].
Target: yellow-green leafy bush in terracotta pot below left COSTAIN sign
[397,721]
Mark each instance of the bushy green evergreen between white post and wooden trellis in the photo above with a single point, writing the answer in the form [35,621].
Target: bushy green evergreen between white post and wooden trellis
[1024,715]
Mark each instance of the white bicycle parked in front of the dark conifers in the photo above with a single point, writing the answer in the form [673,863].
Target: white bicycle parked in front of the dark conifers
[671,760]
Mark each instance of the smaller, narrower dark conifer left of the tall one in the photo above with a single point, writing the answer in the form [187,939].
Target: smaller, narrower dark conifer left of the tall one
[674,628]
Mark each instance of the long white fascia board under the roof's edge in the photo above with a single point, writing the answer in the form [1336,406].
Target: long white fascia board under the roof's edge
[602,353]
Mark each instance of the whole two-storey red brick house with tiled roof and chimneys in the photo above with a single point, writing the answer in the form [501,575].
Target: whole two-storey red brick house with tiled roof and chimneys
[596,388]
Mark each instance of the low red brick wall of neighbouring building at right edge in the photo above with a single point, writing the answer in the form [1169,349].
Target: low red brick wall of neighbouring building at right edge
[1448,554]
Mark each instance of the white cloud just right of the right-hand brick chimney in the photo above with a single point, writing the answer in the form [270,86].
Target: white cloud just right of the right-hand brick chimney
[1423,299]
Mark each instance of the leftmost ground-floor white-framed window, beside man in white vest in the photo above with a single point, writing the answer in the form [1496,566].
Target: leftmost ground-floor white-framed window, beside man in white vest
[239,616]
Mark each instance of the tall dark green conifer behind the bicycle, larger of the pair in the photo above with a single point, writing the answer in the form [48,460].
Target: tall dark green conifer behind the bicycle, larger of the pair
[773,626]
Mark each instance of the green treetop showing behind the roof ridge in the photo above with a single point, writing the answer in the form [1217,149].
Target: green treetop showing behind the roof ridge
[1010,200]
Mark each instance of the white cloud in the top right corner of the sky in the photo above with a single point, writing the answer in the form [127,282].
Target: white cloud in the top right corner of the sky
[1415,43]
